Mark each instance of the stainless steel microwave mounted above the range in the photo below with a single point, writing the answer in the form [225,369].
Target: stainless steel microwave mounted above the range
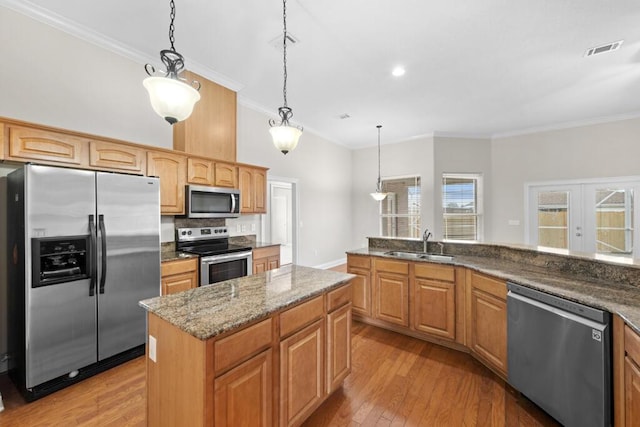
[212,202]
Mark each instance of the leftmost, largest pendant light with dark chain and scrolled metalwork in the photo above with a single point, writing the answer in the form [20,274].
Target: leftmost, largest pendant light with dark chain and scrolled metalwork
[171,96]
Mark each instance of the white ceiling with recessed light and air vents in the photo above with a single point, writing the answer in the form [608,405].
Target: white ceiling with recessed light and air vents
[473,68]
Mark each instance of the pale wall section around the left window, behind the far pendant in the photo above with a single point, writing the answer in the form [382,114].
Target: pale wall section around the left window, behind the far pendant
[415,157]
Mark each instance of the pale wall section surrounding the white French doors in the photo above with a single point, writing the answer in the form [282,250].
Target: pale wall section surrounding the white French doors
[592,151]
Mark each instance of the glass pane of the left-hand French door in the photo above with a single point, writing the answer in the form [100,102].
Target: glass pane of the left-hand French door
[553,210]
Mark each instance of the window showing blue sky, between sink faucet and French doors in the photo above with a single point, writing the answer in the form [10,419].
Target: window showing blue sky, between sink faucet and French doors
[462,206]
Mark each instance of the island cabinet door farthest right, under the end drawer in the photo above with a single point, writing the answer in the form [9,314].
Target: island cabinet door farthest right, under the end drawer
[338,347]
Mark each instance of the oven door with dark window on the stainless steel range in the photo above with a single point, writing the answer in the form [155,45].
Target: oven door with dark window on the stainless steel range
[218,268]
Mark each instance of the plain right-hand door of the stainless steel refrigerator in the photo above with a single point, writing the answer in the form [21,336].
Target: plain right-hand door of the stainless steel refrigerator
[129,258]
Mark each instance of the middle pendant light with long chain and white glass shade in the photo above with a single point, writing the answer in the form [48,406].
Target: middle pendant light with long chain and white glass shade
[285,136]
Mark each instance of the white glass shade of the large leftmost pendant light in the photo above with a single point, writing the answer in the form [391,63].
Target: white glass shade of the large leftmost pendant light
[170,98]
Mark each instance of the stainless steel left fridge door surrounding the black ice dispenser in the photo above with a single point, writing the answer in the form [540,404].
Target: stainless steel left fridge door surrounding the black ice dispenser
[60,320]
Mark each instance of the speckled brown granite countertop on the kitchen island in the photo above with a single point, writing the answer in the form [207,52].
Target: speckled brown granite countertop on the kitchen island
[208,311]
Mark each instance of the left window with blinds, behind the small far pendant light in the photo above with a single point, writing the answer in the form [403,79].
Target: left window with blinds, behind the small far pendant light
[400,210]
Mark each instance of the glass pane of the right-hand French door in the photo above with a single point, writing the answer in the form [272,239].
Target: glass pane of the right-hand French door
[614,221]
